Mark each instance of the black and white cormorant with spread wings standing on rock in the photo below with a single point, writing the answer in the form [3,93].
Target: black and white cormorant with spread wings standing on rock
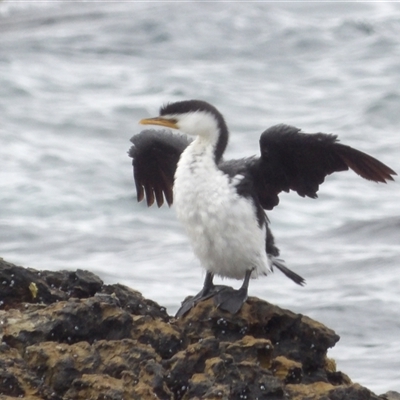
[221,203]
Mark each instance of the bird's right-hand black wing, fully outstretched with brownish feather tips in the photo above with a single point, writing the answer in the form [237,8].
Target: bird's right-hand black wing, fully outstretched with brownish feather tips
[292,160]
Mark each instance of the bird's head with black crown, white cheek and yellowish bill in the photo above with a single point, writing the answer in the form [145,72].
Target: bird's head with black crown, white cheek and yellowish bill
[196,118]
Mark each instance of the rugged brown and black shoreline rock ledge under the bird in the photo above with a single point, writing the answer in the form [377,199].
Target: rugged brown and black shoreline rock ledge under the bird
[66,335]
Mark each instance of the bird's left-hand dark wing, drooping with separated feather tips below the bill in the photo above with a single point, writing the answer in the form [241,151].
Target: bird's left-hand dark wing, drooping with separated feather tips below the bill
[155,156]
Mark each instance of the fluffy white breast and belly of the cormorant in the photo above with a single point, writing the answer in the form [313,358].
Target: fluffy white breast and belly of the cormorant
[222,226]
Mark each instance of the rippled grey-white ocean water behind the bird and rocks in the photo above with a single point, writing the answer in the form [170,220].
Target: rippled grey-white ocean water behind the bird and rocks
[75,78]
